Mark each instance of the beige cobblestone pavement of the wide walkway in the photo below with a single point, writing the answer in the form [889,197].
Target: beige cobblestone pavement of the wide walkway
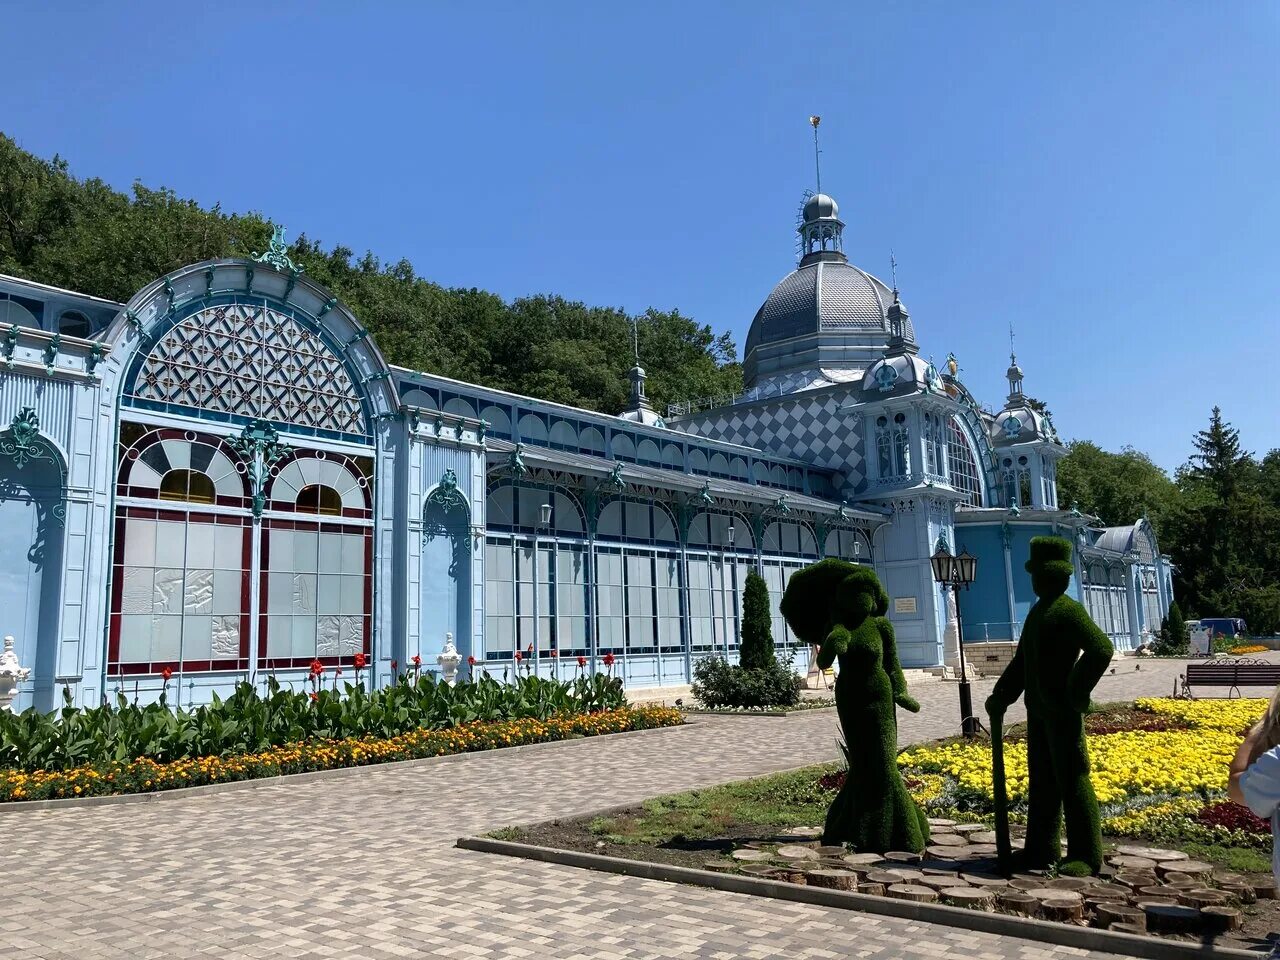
[364,866]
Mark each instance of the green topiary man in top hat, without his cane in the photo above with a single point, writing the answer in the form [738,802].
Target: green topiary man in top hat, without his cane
[1060,659]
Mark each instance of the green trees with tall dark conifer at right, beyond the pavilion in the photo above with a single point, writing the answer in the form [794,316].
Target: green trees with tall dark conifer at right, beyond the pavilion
[1218,518]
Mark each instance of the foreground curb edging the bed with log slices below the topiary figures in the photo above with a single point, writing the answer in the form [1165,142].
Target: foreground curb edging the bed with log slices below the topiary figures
[1002,925]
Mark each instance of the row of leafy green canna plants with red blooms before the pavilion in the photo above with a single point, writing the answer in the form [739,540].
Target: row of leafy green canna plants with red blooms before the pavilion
[250,723]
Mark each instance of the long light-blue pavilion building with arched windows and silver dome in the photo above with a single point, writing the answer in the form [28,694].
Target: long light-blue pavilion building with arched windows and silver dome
[225,479]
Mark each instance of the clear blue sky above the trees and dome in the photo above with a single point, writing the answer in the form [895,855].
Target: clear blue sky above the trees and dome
[1104,176]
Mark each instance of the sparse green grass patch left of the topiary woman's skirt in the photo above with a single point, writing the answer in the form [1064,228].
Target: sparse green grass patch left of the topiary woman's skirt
[781,801]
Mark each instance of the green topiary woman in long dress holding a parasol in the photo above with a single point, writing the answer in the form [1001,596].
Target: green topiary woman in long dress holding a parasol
[840,609]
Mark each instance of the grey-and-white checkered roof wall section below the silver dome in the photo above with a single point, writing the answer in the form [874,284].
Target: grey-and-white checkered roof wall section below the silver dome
[812,429]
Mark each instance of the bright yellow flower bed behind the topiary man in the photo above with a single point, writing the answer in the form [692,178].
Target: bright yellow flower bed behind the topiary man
[1159,771]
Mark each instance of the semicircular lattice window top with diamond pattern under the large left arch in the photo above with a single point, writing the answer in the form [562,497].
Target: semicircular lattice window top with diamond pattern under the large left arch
[253,362]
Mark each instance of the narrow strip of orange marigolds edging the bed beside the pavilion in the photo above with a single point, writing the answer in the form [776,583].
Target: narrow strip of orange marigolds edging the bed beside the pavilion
[147,775]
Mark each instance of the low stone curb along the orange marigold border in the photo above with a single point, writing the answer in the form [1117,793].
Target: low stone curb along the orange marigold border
[22,807]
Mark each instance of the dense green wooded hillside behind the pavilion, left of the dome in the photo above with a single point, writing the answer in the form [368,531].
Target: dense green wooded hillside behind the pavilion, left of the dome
[88,236]
